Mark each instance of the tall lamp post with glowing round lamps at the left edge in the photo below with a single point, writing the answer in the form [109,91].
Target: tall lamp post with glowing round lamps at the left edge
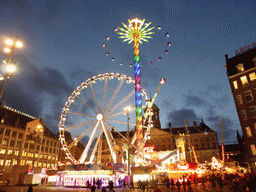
[10,65]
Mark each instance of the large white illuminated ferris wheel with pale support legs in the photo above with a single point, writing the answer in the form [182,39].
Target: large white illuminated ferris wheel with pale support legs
[92,109]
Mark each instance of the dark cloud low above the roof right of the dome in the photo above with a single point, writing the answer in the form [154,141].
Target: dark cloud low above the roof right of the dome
[177,117]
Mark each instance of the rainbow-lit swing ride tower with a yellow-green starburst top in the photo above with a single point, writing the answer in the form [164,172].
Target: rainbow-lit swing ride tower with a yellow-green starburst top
[136,34]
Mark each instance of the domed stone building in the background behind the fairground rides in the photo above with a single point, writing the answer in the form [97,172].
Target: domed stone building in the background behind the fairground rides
[203,138]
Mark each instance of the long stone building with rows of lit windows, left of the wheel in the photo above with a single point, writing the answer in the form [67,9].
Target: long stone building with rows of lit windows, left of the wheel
[26,145]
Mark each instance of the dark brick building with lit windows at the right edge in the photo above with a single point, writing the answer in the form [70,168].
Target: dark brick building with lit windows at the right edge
[241,72]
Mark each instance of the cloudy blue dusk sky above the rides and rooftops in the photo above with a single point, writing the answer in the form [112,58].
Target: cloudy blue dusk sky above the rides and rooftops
[63,47]
